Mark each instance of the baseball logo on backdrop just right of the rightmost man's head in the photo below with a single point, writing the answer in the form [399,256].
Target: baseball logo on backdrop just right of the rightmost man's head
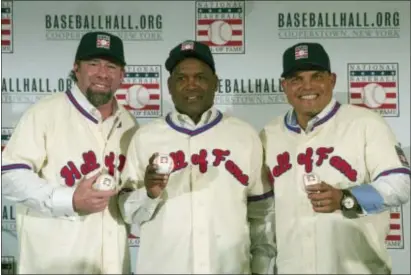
[374,86]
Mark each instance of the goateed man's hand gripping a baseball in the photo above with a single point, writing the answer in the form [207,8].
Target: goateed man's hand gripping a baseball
[87,200]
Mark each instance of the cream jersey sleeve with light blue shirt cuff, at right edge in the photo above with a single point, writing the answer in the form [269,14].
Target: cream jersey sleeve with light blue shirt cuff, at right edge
[387,168]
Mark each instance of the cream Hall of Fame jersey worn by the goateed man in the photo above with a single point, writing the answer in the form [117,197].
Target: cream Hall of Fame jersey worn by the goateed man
[61,139]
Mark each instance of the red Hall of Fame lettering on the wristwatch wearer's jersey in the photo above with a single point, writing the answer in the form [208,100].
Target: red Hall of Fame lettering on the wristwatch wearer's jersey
[310,158]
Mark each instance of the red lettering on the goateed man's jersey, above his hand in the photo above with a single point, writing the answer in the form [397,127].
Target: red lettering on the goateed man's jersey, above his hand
[70,172]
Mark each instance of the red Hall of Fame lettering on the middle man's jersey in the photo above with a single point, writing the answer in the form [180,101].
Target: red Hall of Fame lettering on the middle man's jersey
[220,157]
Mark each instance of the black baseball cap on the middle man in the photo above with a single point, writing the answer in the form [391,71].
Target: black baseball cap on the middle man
[190,48]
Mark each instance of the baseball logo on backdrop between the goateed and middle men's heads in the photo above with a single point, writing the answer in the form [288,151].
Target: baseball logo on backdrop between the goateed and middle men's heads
[140,92]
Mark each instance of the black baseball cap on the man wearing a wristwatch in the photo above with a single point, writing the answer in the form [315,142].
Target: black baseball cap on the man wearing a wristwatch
[305,56]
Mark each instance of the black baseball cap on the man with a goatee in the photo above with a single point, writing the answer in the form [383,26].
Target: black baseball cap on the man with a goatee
[101,44]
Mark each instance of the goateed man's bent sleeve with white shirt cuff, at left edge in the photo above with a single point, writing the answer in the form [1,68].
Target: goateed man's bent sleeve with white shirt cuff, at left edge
[22,161]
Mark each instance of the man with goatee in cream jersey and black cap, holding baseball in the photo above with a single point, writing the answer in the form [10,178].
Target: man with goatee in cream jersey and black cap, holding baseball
[59,147]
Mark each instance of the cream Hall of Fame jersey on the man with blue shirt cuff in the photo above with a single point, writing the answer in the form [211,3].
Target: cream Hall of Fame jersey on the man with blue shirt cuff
[347,147]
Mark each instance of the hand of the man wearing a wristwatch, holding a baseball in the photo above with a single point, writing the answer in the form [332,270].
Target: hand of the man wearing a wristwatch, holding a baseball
[324,197]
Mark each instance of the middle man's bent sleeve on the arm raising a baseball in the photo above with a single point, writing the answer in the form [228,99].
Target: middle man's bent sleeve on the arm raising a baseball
[135,205]
